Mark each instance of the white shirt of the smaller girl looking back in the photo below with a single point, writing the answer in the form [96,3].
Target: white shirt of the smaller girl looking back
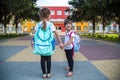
[67,38]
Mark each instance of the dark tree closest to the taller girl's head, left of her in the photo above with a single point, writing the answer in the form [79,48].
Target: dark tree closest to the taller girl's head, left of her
[25,10]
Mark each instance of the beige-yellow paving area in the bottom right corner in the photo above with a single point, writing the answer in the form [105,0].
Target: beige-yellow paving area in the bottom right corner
[110,68]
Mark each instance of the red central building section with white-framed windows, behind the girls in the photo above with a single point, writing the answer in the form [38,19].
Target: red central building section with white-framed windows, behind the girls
[58,15]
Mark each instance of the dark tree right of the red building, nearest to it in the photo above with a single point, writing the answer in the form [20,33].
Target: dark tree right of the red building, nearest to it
[84,10]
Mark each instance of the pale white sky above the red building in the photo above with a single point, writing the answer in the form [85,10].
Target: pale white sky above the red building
[52,3]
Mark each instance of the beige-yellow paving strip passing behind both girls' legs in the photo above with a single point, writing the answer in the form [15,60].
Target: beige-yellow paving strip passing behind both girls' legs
[26,55]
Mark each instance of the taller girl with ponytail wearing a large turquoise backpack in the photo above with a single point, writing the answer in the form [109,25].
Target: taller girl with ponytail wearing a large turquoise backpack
[44,41]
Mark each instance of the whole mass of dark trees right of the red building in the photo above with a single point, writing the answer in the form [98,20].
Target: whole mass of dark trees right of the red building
[103,11]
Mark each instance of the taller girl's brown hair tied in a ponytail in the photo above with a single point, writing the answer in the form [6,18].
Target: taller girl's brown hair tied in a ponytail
[44,13]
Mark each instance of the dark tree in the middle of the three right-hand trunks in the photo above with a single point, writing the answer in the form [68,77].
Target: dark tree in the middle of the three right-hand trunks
[103,10]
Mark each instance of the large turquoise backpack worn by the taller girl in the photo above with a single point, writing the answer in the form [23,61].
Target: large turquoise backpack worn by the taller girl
[44,43]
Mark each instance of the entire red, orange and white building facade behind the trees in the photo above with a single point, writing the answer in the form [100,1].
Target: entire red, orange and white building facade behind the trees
[58,15]
